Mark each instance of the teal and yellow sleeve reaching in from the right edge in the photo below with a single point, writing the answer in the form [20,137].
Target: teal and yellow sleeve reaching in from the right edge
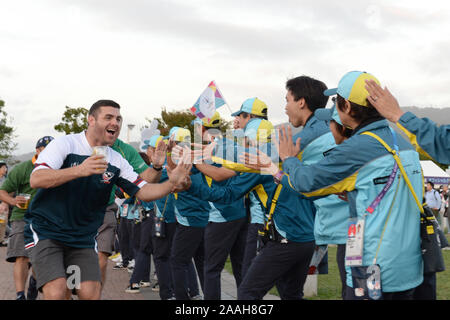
[429,139]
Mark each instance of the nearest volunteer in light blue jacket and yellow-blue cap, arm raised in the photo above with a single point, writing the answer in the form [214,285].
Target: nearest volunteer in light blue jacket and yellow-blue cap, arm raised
[361,166]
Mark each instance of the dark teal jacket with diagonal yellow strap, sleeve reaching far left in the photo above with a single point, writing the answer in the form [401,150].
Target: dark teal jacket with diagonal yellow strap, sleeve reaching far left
[293,216]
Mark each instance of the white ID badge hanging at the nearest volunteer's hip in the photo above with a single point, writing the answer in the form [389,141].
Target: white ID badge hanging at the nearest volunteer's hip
[355,242]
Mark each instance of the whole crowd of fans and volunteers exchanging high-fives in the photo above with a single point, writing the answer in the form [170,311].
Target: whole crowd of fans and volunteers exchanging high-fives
[269,200]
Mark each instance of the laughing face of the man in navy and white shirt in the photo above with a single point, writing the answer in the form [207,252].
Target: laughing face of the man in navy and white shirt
[104,126]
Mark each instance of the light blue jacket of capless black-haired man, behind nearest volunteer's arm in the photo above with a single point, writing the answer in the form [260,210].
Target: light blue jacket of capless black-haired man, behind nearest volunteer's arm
[332,213]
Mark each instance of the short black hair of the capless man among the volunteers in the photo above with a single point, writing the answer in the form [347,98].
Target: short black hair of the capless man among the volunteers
[309,89]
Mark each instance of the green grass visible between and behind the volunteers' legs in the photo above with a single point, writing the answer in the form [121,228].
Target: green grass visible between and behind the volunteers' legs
[329,285]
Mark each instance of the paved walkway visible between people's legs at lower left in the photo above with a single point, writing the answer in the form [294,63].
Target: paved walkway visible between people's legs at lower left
[116,282]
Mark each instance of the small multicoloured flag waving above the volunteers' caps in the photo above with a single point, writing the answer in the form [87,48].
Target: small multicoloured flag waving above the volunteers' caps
[208,102]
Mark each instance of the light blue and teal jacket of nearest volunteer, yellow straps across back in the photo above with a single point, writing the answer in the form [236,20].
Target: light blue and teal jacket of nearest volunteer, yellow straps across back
[360,166]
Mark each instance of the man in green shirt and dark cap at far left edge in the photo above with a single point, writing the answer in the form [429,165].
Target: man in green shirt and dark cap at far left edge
[18,182]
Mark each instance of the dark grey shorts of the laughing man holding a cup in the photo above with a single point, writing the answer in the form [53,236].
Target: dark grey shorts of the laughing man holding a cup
[52,260]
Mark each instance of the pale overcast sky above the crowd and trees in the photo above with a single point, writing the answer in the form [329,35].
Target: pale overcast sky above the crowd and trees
[149,54]
